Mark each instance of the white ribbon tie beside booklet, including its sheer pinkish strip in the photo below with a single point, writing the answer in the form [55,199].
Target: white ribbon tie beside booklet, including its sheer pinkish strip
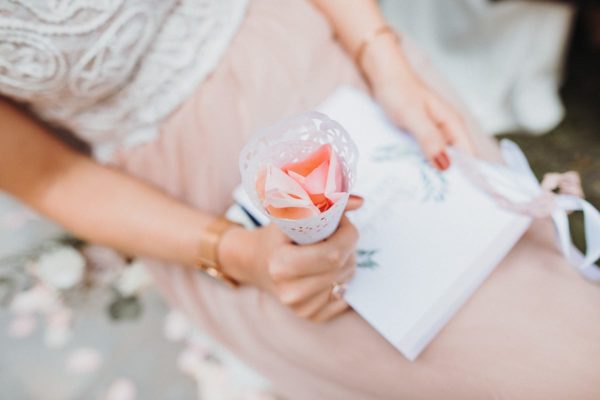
[556,197]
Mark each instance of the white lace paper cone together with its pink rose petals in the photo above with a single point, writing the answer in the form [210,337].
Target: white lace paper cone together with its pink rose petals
[300,172]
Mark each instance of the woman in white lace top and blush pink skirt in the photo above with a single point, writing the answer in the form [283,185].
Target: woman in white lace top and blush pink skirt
[167,93]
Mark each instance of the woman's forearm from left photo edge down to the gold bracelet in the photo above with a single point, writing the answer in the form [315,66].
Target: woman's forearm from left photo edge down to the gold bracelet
[95,202]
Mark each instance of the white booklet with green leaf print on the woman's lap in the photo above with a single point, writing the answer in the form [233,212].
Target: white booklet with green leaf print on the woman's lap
[428,238]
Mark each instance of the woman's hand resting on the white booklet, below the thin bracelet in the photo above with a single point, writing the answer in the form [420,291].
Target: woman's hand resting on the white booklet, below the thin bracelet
[411,103]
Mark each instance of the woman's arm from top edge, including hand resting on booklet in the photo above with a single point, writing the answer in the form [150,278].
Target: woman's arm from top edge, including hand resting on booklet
[408,101]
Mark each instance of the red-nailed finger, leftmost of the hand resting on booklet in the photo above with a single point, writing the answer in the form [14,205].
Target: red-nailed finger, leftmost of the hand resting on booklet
[429,136]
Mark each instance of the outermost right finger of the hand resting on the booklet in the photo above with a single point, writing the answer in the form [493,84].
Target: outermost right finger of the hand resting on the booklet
[452,125]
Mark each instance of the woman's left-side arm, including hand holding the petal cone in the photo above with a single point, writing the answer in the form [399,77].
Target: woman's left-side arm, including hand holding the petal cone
[105,206]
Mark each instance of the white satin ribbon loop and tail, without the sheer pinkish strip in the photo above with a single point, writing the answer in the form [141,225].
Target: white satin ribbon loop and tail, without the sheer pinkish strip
[562,203]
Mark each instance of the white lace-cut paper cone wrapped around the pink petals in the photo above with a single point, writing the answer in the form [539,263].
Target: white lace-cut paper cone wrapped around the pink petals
[290,141]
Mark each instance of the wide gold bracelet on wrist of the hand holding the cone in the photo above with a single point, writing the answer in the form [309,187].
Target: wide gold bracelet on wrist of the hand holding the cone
[208,250]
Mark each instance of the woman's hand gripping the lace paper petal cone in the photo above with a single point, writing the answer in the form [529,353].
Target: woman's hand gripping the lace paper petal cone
[301,277]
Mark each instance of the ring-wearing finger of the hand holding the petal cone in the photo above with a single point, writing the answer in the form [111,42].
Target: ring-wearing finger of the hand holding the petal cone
[299,291]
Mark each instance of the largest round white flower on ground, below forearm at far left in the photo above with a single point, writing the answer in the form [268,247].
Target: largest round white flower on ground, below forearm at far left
[60,268]
